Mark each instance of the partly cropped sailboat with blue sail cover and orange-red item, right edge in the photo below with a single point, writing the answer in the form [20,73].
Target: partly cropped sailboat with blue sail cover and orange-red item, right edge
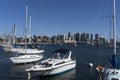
[114,72]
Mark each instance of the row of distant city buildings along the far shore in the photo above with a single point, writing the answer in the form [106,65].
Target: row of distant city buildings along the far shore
[59,38]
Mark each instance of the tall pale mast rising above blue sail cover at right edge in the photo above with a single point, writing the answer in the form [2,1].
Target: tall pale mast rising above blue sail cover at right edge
[114,27]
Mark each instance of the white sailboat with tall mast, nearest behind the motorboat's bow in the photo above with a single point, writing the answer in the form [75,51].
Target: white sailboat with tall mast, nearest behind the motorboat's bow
[26,58]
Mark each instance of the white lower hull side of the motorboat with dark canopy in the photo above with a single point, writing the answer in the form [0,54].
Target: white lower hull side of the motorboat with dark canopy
[54,71]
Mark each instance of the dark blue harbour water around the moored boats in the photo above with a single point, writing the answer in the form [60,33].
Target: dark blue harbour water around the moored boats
[83,53]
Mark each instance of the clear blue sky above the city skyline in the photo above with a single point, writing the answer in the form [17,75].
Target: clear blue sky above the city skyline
[52,17]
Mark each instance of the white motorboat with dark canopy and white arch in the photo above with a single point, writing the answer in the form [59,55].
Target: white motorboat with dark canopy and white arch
[59,63]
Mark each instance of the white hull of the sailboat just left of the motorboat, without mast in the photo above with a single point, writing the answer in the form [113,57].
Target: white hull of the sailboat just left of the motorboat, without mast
[26,59]
